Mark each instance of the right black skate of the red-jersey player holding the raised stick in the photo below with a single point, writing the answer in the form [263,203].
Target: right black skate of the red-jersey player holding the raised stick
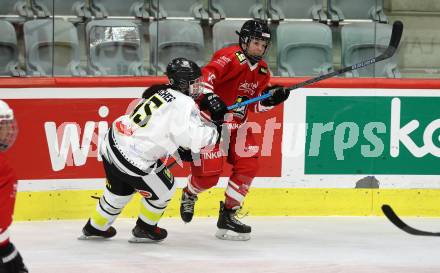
[230,228]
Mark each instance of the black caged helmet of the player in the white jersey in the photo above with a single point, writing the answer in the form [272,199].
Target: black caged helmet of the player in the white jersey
[183,74]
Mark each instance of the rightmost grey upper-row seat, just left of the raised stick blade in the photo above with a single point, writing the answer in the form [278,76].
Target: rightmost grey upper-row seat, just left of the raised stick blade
[340,10]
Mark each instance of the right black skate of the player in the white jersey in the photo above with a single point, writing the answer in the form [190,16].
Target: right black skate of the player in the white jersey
[145,233]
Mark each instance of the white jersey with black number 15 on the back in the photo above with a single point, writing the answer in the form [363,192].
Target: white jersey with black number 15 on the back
[156,128]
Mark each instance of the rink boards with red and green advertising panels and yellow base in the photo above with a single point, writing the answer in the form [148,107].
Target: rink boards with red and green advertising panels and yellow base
[332,150]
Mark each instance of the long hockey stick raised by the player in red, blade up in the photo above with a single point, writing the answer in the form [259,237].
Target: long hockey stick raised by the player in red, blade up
[396,35]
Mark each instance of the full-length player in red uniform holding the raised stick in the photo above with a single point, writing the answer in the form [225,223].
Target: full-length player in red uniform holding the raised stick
[234,74]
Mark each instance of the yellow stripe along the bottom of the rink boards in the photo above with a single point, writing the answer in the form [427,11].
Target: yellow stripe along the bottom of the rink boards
[77,204]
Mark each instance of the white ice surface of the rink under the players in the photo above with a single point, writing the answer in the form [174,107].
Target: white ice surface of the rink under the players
[278,244]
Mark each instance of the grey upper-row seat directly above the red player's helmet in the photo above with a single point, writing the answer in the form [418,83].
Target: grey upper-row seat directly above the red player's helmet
[221,9]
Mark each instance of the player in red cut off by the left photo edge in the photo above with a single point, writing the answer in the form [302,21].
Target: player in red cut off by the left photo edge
[10,258]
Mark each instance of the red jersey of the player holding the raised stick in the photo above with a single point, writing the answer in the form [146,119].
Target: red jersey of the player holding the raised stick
[230,75]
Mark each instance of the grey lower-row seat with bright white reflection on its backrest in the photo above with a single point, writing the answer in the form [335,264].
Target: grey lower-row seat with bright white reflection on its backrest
[115,48]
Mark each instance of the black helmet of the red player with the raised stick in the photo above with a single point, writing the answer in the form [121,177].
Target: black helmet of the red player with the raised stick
[254,29]
